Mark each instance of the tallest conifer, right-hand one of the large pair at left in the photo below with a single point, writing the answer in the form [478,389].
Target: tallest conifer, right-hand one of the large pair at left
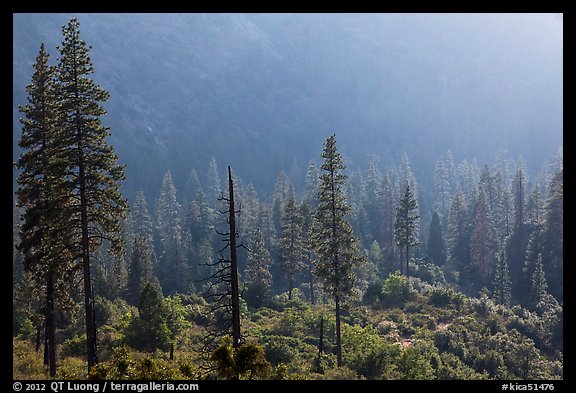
[89,165]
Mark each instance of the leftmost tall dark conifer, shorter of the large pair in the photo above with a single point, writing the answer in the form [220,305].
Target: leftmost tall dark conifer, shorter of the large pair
[42,242]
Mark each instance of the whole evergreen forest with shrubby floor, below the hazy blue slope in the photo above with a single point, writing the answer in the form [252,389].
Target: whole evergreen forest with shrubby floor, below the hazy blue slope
[331,271]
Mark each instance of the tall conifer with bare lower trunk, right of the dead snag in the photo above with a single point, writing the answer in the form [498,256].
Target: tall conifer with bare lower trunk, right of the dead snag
[336,247]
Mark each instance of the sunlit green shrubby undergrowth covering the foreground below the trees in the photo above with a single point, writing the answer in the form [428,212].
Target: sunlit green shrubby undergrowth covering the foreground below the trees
[396,331]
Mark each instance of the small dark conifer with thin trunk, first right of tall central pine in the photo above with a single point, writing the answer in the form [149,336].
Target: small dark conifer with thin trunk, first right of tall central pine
[406,223]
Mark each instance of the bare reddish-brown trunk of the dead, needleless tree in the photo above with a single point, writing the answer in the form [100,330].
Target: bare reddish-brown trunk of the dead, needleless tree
[234,268]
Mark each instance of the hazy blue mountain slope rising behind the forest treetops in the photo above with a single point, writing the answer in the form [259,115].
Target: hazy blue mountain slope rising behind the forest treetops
[261,92]
